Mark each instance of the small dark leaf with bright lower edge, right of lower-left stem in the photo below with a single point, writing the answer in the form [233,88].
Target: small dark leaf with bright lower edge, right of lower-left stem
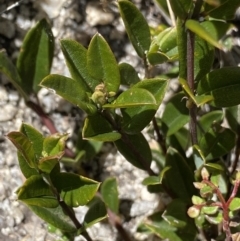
[96,213]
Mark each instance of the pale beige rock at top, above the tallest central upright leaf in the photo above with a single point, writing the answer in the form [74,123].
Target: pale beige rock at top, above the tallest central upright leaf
[96,15]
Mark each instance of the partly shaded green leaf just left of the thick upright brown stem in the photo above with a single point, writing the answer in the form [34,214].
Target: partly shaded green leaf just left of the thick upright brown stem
[175,114]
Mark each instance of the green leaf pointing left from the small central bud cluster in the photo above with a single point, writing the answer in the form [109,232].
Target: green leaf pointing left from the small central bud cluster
[70,90]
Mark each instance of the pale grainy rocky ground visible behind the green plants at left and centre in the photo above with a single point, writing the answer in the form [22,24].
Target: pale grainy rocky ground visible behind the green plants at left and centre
[78,20]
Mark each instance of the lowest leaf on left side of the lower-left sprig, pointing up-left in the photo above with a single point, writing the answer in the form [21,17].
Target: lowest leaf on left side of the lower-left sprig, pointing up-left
[56,217]
